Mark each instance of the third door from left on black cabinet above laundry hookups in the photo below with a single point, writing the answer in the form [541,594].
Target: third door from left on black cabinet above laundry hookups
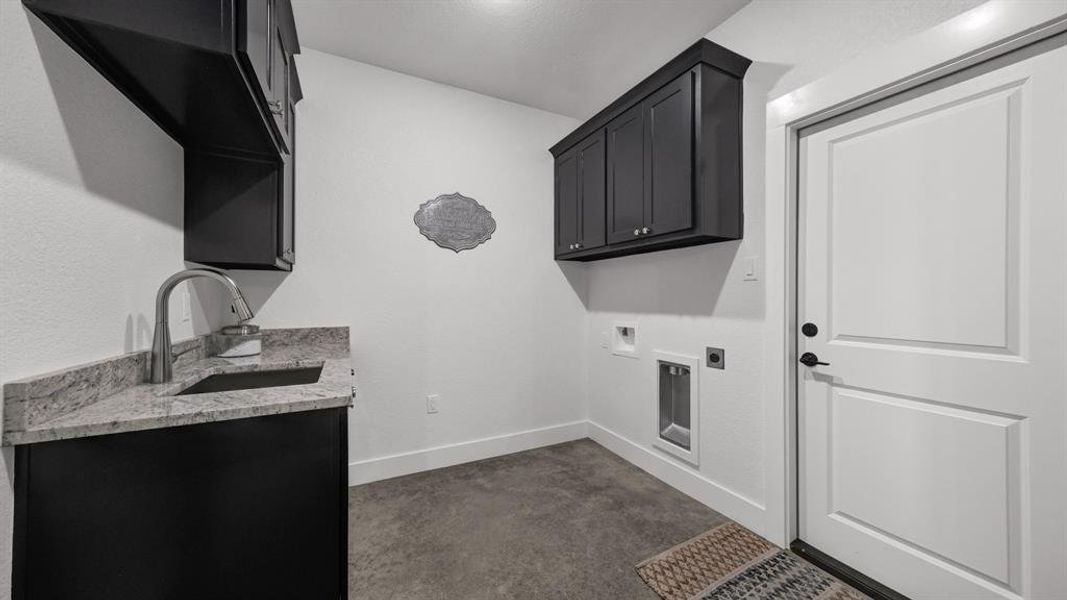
[626,176]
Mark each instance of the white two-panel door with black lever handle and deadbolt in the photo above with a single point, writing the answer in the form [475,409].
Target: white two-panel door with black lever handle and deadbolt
[933,260]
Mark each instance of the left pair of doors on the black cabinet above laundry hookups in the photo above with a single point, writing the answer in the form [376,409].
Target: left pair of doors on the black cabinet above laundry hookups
[580,197]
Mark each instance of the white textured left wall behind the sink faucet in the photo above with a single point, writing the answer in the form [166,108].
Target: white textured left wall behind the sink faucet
[91,195]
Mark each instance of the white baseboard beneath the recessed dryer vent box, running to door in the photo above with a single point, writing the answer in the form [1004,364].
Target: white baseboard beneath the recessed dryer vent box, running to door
[716,497]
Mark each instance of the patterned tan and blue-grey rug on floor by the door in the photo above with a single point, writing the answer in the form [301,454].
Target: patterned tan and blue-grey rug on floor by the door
[731,563]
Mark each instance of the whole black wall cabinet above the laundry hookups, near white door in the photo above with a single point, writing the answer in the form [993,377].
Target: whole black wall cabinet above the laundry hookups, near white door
[673,159]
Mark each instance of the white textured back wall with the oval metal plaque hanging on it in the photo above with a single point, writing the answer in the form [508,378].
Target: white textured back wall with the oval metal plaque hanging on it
[497,331]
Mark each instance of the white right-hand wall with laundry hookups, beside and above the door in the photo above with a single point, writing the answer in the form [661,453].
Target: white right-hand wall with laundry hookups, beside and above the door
[684,301]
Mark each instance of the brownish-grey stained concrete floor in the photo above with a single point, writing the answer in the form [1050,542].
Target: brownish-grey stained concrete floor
[564,522]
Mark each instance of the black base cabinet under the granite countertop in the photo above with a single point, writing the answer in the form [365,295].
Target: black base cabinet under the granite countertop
[245,509]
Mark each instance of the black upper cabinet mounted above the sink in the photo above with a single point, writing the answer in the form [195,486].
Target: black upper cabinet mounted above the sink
[217,76]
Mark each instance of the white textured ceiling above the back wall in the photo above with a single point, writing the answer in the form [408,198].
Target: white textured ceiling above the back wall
[568,57]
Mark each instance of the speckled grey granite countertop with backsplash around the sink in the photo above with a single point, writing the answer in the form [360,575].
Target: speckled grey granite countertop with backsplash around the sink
[112,397]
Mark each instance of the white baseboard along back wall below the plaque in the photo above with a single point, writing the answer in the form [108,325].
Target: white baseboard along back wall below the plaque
[395,466]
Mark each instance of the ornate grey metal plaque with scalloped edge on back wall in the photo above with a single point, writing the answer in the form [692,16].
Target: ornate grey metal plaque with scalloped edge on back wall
[455,222]
